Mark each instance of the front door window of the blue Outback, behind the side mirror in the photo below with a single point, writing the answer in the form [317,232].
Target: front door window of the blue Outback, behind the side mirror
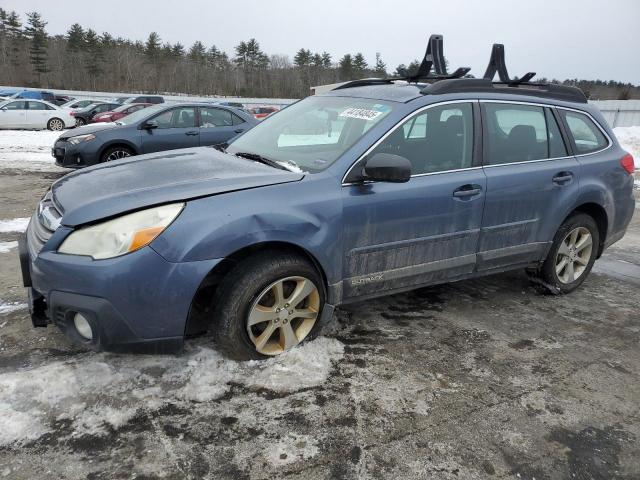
[436,140]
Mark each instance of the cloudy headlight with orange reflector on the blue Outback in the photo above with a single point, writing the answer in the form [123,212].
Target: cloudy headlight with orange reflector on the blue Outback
[121,235]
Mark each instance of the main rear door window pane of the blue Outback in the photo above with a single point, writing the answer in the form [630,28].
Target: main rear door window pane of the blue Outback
[515,133]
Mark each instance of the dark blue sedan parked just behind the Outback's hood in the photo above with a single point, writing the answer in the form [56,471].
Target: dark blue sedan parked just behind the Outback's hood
[153,129]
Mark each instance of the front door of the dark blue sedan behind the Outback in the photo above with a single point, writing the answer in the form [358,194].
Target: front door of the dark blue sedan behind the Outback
[176,129]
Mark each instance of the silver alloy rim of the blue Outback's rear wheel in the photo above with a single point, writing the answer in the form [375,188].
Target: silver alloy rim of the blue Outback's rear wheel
[573,255]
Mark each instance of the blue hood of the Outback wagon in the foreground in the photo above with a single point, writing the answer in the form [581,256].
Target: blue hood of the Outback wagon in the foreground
[111,189]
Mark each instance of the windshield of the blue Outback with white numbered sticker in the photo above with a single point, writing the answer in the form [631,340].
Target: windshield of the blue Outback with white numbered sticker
[312,133]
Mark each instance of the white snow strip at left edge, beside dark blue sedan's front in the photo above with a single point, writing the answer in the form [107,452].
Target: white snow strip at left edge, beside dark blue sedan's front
[27,149]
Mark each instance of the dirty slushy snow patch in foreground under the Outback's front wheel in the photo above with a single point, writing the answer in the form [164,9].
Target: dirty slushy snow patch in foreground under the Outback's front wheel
[100,391]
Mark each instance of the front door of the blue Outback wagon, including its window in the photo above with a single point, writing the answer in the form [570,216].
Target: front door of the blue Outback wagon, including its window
[398,236]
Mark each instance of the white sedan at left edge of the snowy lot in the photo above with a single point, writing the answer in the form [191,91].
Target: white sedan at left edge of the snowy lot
[34,114]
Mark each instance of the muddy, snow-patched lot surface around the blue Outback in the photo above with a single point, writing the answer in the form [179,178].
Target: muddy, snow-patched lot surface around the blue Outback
[478,379]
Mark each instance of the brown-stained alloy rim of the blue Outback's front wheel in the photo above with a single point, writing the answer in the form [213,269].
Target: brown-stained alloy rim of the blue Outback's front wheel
[283,315]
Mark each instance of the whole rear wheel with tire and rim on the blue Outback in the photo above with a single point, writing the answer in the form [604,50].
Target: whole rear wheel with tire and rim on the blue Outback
[571,256]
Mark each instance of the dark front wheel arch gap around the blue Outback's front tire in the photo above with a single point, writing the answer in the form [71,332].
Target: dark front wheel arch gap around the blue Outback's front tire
[200,310]
